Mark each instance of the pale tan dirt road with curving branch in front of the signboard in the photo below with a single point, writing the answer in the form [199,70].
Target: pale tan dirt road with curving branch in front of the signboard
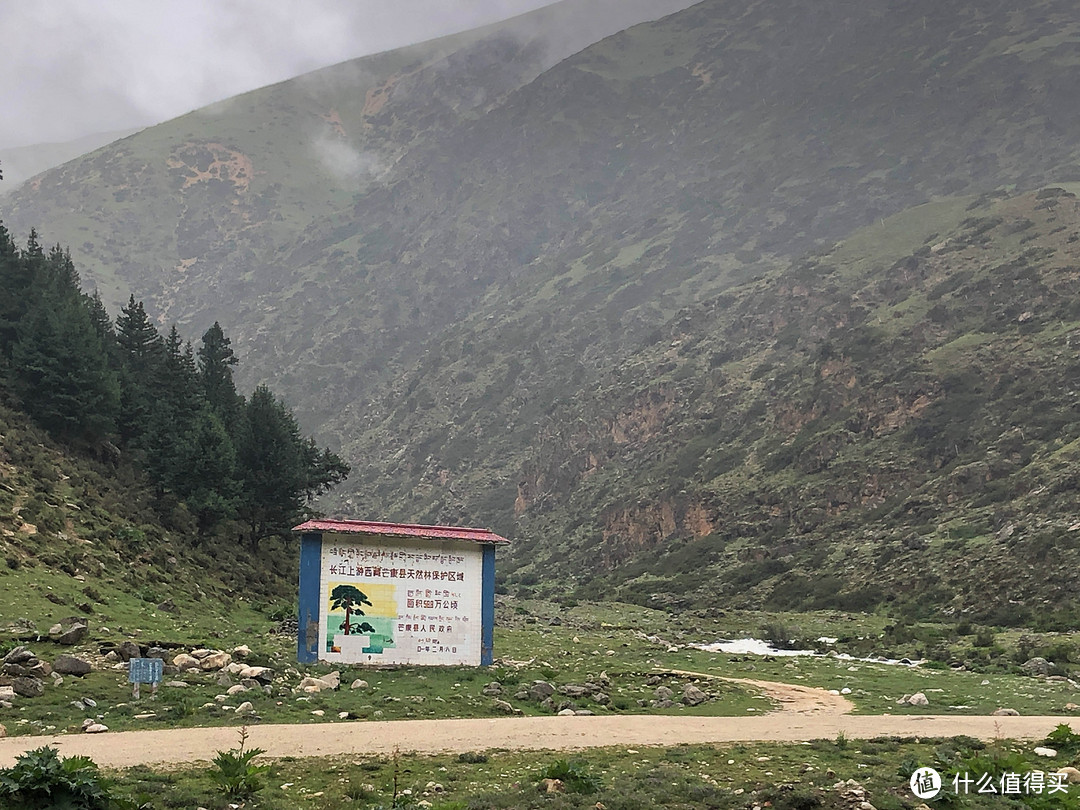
[803,714]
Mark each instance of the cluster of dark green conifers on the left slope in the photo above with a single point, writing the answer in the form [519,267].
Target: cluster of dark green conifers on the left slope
[171,411]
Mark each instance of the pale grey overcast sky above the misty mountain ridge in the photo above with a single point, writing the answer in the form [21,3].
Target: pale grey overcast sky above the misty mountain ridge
[72,69]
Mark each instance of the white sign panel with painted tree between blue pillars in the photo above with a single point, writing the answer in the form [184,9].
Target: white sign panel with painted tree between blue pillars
[400,602]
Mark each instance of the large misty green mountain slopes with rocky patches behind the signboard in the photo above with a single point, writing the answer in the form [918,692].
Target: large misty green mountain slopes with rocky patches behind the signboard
[597,303]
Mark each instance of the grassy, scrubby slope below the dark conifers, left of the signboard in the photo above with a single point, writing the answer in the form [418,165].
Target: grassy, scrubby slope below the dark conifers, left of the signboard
[85,538]
